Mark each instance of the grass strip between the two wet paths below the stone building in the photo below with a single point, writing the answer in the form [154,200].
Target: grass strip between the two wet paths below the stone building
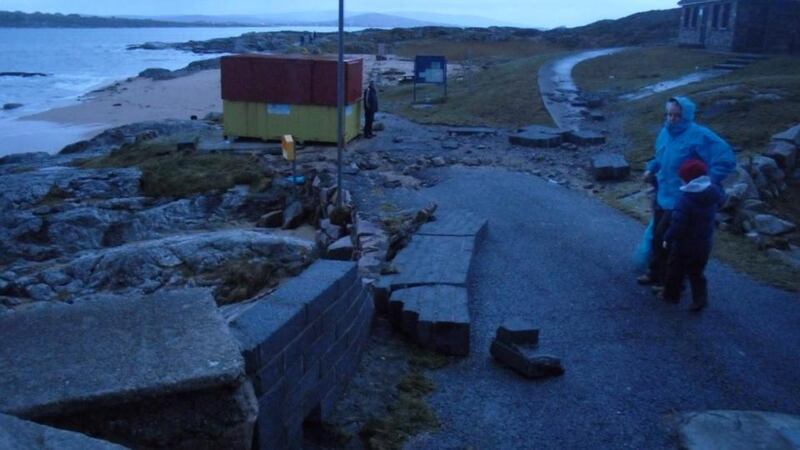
[633,69]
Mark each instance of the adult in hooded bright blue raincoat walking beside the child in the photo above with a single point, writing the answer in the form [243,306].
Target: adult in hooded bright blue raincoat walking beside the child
[680,139]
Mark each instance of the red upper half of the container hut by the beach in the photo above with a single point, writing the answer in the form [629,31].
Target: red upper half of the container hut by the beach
[294,80]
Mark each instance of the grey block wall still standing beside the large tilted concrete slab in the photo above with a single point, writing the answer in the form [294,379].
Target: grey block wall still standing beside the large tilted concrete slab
[301,346]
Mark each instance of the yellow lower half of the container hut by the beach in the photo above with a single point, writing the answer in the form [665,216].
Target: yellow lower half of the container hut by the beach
[270,121]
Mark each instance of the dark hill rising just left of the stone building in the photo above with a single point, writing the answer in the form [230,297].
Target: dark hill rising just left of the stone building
[644,28]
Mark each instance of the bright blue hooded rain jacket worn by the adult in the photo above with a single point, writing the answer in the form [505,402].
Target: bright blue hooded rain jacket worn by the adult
[687,140]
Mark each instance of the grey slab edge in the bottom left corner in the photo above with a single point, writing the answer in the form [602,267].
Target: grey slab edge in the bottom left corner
[21,434]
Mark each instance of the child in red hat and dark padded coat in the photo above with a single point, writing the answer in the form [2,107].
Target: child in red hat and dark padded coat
[689,235]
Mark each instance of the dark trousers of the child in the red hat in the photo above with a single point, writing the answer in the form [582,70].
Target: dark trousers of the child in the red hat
[682,264]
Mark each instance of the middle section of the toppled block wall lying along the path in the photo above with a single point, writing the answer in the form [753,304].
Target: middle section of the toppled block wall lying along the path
[434,260]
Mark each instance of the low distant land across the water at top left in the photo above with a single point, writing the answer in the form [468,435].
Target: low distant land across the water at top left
[18,19]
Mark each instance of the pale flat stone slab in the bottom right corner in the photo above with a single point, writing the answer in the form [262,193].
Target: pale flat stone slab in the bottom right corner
[739,430]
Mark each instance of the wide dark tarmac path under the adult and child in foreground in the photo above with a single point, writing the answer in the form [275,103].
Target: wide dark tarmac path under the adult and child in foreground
[563,260]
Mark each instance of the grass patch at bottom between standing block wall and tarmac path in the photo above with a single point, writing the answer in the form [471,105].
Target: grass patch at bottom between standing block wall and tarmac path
[409,414]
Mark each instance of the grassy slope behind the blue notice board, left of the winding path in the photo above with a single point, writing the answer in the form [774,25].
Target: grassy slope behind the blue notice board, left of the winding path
[506,94]
